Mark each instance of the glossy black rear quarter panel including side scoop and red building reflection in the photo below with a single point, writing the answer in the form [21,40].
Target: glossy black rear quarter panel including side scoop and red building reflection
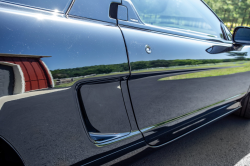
[89,54]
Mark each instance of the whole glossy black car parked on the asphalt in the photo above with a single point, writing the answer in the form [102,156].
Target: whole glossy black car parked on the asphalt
[86,82]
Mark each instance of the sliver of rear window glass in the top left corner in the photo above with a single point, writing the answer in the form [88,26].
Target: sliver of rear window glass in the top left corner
[56,5]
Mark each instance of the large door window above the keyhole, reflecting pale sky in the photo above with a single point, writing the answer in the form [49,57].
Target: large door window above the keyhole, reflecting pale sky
[188,15]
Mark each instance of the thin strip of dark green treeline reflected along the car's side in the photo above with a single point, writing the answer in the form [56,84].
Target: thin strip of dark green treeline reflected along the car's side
[105,69]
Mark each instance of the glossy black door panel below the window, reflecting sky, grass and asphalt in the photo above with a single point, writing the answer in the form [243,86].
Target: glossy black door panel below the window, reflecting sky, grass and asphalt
[177,101]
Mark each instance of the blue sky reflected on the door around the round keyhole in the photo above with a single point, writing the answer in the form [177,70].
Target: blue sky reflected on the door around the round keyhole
[168,47]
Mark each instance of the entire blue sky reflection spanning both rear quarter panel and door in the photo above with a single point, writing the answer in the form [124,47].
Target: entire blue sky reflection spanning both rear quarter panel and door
[74,43]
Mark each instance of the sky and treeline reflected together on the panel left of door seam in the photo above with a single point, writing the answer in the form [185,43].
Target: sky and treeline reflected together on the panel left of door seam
[69,50]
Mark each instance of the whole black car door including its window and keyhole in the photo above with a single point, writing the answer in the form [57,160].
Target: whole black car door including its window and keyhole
[182,64]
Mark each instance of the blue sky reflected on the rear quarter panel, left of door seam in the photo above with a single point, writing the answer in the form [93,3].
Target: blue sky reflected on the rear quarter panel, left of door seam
[70,43]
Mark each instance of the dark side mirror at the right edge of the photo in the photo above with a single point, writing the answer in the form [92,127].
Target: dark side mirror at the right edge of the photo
[241,35]
